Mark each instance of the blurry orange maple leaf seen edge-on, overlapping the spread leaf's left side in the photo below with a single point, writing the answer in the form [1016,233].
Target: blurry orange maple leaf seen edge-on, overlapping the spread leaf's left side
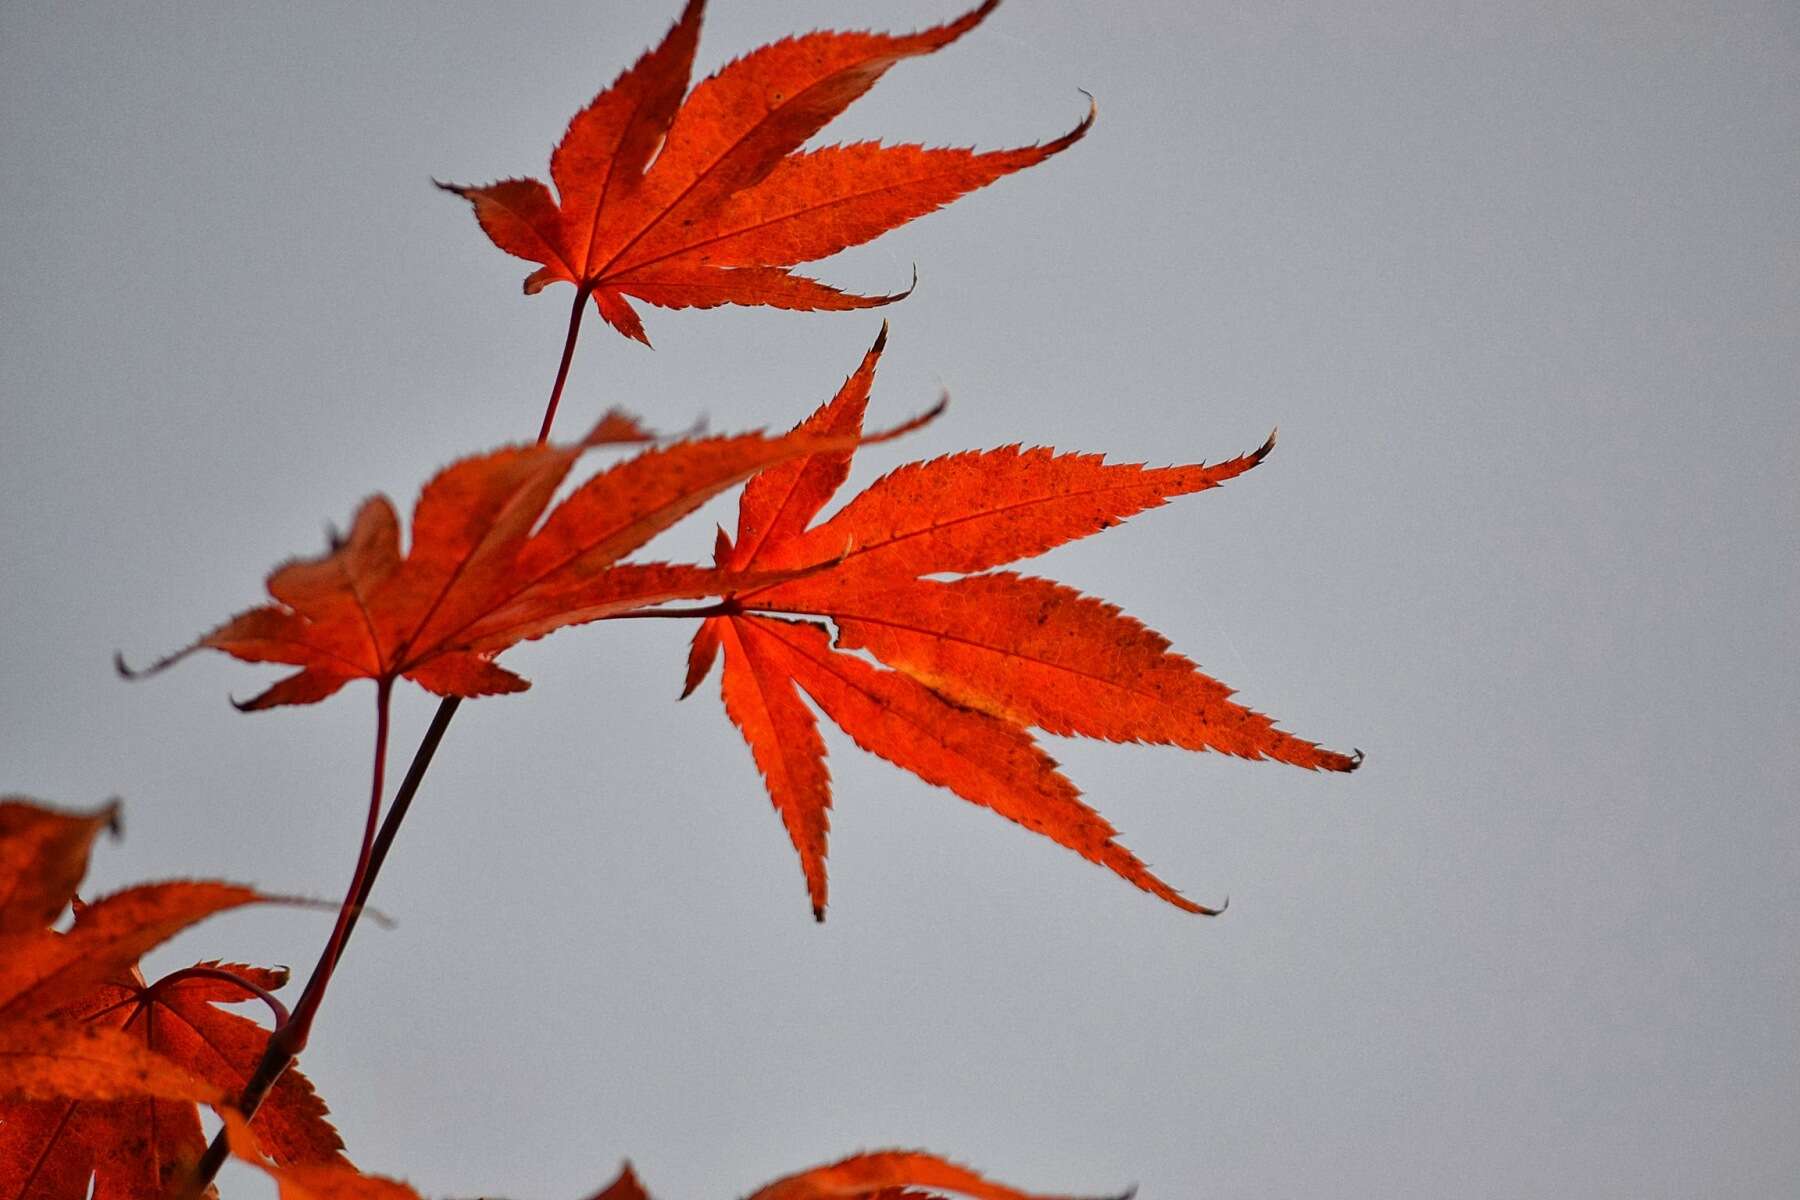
[483,575]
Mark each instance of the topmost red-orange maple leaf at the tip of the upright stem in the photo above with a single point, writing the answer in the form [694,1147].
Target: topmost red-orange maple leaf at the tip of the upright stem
[708,201]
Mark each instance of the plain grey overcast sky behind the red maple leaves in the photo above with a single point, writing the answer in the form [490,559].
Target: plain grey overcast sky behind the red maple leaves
[1522,289]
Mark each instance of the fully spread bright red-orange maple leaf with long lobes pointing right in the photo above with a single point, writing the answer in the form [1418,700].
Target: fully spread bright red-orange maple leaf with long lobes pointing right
[978,661]
